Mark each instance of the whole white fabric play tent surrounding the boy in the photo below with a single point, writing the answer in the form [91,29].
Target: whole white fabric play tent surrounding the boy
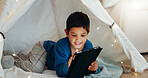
[25,22]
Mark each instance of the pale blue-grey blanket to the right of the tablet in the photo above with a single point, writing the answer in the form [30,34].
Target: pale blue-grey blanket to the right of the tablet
[110,69]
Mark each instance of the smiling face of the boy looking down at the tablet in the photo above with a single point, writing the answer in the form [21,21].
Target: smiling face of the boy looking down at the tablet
[77,37]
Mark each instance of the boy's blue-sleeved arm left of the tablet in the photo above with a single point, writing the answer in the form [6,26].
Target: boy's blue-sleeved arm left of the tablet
[61,60]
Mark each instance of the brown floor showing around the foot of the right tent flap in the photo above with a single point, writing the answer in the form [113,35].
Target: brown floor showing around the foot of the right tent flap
[136,75]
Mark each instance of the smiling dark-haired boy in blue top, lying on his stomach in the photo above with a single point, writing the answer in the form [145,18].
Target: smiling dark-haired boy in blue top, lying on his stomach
[59,56]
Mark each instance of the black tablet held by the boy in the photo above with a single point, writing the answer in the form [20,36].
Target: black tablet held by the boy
[81,61]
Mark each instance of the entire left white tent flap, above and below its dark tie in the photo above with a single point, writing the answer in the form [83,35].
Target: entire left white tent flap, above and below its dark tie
[10,13]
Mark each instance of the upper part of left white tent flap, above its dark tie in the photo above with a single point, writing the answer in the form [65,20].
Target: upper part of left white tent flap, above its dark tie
[12,11]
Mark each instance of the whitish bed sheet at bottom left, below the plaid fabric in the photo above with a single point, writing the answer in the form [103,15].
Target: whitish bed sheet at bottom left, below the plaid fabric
[16,72]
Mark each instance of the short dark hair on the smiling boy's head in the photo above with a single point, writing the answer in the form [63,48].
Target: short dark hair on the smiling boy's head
[78,19]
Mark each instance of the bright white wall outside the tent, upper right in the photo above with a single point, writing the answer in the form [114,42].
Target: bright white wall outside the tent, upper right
[132,17]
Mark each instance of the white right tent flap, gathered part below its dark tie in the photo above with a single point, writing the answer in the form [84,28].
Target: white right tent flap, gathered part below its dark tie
[131,52]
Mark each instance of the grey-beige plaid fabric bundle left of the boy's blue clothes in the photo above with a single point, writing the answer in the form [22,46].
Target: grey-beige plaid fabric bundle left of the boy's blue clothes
[34,61]
